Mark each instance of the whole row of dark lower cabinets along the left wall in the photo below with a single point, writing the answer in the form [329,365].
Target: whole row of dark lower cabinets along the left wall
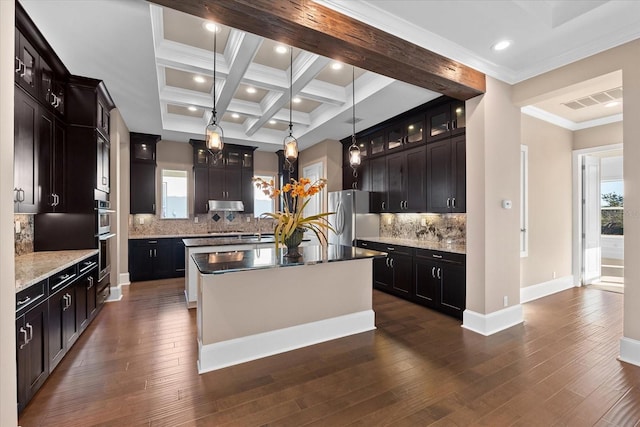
[50,315]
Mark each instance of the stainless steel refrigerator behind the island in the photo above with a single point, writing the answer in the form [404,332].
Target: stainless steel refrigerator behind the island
[352,219]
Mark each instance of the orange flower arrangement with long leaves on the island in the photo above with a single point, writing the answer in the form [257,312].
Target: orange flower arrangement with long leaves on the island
[295,197]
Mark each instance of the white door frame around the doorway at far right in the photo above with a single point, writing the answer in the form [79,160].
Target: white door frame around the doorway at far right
[577,253]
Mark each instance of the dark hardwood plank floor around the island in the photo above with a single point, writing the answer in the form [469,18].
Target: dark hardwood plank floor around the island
[136,365]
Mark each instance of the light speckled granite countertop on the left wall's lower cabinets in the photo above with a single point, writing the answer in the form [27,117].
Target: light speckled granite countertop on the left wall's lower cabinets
[36,266]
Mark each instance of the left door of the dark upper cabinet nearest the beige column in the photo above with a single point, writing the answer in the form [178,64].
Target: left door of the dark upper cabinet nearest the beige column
[438,176]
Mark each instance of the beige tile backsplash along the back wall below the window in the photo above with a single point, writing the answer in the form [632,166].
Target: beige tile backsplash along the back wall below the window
[215,222]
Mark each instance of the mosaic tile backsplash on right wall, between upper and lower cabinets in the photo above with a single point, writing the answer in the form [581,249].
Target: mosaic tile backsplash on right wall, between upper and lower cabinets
[449,228]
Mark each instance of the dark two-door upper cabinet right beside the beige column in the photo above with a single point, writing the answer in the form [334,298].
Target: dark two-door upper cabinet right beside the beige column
[446,175]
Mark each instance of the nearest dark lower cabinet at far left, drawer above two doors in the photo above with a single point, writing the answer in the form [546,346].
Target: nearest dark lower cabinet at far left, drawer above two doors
[32,358]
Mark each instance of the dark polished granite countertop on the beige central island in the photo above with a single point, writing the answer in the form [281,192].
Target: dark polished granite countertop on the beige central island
[265,258]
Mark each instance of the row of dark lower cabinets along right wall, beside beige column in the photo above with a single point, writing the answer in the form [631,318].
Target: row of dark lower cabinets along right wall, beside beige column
[434,279]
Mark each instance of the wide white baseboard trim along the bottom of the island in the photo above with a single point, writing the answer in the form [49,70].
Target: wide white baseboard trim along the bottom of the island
[232,352]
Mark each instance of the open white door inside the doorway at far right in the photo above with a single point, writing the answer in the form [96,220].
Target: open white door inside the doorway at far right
[591,219]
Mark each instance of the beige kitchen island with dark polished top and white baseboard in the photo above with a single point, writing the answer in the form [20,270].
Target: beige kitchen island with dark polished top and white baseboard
[255,303]
